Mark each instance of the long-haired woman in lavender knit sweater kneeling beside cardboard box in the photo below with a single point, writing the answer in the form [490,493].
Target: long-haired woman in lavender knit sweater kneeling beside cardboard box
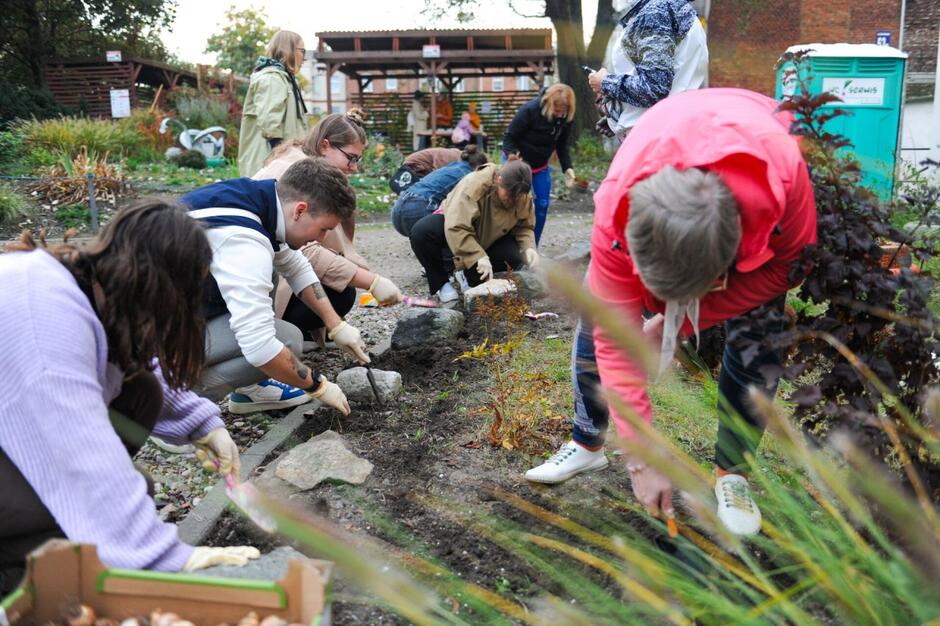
[100,346]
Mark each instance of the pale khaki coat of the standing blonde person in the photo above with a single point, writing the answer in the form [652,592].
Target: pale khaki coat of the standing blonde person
[270,112]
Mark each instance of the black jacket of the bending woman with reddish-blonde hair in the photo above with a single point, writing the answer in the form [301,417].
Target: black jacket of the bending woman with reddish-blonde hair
[535,138]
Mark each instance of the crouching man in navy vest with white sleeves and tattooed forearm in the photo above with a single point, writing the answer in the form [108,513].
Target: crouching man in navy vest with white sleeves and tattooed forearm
[254,228]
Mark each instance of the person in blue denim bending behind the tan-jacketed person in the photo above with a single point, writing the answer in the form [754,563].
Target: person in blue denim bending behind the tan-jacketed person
[423,198]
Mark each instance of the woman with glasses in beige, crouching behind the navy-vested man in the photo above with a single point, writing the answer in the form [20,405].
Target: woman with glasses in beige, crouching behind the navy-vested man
[340,139]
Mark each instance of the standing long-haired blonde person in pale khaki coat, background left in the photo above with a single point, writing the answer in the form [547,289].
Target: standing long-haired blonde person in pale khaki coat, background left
[274,108]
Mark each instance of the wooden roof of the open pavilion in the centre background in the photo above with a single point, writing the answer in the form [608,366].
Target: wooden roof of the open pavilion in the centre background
[462,52]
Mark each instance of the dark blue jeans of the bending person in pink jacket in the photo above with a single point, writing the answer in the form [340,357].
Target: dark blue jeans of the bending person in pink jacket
[740,427]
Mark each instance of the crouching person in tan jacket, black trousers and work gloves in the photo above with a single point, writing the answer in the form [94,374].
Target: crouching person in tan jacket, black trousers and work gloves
[487,223]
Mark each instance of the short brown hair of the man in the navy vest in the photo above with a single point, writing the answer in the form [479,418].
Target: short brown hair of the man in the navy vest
[321,185]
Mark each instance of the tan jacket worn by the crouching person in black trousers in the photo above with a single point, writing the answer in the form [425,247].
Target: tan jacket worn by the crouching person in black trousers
[474,218]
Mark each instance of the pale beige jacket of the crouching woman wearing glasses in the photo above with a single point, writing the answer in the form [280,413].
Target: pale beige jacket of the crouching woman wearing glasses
[335,260]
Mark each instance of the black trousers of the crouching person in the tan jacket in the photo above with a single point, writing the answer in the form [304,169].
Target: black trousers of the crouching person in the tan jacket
[430,246]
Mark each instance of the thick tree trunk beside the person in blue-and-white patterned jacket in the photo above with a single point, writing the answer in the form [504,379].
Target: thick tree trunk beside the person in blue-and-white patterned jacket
[567,19]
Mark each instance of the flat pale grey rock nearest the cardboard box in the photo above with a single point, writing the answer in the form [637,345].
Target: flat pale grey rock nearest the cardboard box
[324,457]
